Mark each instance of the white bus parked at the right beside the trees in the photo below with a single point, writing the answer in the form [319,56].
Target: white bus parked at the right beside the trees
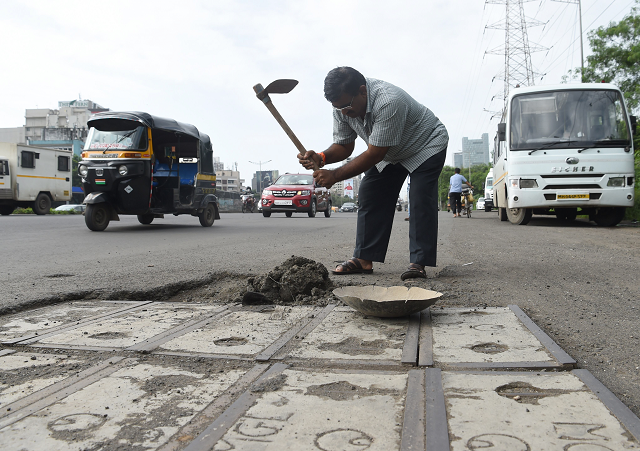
[564,150]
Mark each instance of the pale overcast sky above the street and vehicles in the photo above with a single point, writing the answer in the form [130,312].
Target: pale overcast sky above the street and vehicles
[197,61]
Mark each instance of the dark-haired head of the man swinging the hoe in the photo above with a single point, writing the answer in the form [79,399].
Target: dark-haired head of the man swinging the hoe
[346,89]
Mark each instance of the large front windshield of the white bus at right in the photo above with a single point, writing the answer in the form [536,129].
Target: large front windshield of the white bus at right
[568,119]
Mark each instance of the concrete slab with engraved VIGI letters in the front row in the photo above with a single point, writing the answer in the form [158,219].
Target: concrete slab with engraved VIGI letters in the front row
[298,409]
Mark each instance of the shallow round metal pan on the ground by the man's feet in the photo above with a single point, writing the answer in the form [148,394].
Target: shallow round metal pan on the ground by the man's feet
[386,302]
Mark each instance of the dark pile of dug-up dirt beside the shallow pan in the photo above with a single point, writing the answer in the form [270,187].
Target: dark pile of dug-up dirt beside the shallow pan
[297,280]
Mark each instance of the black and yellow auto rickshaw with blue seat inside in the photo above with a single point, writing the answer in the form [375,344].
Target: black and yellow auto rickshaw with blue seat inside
[134,163]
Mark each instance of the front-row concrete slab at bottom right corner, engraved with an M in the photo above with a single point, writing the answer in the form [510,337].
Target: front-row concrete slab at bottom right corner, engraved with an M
[528,411]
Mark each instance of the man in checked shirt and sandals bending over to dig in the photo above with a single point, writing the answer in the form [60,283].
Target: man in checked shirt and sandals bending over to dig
[403,137]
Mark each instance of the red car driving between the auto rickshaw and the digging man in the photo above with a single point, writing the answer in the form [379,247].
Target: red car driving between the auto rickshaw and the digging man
[295,193]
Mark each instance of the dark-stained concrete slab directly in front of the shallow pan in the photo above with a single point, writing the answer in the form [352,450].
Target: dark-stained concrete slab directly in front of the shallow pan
[347,335]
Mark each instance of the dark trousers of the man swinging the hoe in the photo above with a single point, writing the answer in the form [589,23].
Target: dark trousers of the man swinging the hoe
[378,196]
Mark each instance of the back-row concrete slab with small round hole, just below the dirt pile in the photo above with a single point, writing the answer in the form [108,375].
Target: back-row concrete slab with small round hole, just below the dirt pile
[240,333]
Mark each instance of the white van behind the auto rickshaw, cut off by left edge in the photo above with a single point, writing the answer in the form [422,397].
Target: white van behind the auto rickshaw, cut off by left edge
[33,177]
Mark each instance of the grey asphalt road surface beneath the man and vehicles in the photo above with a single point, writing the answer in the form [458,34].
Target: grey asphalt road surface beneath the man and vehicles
[578,282]
